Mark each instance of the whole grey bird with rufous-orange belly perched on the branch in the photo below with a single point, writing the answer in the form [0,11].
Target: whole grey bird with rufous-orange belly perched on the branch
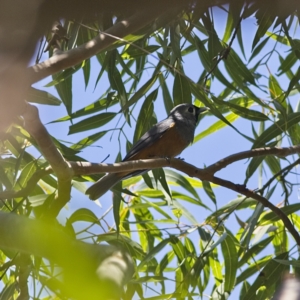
[168,138]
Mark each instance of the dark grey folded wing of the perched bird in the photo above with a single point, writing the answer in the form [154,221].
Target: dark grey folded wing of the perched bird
[150,137]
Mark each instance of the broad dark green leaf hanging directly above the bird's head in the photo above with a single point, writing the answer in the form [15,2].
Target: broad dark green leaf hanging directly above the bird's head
[181,90]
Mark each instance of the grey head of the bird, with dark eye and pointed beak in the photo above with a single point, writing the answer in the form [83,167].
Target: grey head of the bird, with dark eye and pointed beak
[187,111]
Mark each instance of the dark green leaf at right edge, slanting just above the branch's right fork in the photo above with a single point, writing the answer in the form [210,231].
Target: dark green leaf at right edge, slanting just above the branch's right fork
[276,129]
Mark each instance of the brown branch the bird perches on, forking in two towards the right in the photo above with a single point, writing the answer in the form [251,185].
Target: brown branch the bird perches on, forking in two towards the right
[202,174]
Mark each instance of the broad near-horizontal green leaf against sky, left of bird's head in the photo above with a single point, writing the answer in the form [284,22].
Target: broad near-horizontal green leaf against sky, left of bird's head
[92,122]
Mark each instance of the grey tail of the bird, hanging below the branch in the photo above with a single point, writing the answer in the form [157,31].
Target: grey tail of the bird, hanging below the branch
[102,185]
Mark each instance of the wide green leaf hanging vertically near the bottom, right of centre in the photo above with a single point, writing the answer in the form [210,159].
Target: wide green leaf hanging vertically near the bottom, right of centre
[230,261]
